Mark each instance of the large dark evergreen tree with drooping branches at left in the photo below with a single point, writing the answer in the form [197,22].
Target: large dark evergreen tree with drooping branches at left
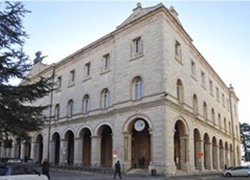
[18,117]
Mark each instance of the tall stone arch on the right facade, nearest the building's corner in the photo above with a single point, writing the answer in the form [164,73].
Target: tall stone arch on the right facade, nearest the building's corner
[180,144]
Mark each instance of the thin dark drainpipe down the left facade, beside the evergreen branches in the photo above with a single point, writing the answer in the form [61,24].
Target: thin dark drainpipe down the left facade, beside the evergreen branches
[50,111]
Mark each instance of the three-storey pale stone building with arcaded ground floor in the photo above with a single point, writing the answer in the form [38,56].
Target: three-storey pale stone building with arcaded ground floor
[143,90]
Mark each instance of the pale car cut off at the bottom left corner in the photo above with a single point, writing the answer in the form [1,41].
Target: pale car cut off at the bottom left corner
[20,172]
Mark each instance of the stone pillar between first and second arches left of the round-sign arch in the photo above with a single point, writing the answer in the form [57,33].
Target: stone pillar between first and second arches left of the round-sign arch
[96,150]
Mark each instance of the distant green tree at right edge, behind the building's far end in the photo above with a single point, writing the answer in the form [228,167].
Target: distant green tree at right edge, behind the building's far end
[245,139]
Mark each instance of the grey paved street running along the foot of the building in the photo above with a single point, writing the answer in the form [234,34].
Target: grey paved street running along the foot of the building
[82,175]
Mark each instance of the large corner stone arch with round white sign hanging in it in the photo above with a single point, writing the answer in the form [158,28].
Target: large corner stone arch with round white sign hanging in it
[137,132]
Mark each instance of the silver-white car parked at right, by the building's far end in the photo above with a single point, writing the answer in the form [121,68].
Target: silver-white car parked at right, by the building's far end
[237,171]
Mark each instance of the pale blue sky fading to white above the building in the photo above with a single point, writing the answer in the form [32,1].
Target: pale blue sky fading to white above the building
[220,31]
